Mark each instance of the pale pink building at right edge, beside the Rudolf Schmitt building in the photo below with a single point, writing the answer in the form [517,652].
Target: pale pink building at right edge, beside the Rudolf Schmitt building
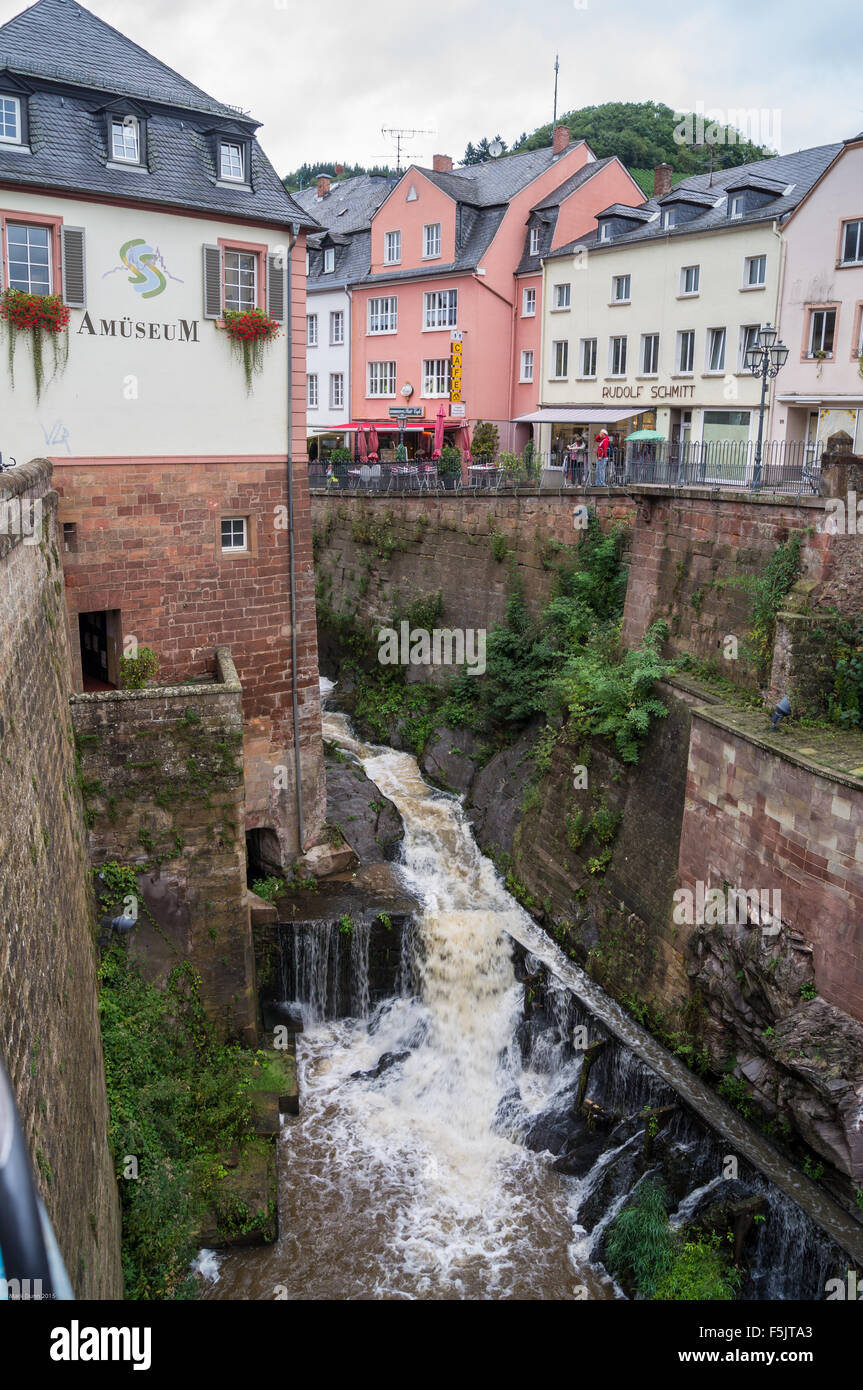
[821,389]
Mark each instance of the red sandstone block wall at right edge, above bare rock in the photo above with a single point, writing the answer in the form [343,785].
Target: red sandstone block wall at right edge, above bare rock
[758,821]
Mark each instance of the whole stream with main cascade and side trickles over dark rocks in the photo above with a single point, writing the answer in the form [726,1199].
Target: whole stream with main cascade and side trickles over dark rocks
[436,1154]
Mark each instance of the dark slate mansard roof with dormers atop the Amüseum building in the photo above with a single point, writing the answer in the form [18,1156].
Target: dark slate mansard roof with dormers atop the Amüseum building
[69,134]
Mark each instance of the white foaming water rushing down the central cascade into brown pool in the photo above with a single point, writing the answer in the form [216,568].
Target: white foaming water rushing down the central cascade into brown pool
[413,1184]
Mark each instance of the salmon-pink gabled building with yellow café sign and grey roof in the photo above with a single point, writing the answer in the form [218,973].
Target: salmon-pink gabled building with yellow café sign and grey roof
[457,258]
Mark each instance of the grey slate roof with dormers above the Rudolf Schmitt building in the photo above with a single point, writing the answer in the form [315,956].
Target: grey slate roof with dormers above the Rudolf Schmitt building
[800,170]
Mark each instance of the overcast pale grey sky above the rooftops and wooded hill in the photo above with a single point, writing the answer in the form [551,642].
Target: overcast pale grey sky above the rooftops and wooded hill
[324,76]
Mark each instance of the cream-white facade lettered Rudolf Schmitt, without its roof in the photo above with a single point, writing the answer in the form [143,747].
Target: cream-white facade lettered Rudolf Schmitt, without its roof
[661,326]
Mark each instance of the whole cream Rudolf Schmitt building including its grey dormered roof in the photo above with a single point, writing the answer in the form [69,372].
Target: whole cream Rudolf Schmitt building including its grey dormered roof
[647,322]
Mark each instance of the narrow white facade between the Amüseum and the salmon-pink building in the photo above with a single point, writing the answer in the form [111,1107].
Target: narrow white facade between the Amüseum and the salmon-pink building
[327,358]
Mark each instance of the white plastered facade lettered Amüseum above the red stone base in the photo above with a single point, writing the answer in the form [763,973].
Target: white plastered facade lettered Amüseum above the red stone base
[148,375]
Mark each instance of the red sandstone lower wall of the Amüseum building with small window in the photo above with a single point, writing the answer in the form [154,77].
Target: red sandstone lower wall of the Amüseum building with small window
[149,546]
